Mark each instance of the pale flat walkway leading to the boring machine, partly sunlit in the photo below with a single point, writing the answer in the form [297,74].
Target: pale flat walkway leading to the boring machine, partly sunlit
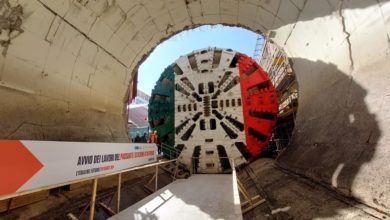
[201,196]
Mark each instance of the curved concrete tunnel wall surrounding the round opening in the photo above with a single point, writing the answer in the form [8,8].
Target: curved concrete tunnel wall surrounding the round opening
[67,75]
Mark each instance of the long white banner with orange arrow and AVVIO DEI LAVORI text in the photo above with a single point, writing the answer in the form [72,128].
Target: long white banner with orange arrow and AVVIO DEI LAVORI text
[28,165]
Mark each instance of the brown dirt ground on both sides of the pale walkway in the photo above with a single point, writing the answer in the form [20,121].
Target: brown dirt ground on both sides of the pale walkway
[286,195]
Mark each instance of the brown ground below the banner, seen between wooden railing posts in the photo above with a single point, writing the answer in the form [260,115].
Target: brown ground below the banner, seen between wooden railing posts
[61,202]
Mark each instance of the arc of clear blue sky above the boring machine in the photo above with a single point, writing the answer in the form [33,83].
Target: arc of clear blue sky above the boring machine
[185,42]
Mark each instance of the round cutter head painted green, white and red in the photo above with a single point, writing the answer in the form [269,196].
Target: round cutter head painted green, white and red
[214,105]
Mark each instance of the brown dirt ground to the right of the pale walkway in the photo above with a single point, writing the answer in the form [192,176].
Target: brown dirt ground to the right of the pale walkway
[292,197]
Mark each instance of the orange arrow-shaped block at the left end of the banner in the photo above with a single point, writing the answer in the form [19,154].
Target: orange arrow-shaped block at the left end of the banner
[17,165]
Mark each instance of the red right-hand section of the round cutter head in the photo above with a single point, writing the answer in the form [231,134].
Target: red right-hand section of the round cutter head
[260,104]
